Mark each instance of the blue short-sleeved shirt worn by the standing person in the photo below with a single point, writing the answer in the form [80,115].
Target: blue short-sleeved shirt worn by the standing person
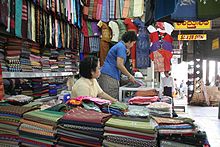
[110,64]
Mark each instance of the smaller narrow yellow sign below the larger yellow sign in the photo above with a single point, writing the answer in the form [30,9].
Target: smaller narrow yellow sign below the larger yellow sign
[192,37]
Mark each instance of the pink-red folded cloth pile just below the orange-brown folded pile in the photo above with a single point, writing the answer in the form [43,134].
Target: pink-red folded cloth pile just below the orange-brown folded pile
[139,100]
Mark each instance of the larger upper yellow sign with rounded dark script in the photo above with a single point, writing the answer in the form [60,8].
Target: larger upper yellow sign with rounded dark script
[193,25]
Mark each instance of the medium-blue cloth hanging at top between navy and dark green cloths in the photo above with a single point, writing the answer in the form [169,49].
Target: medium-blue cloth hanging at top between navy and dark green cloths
[185,11]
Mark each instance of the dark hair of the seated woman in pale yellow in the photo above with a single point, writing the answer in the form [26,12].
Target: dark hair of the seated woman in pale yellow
[87,65]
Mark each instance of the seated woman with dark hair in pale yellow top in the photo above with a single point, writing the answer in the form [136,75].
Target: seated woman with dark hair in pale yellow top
[87,85]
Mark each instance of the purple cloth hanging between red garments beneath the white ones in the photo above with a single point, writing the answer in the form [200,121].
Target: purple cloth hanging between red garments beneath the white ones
[165,45]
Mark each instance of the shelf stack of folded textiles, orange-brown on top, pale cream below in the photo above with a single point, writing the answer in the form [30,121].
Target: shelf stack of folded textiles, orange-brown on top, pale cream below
[35,58]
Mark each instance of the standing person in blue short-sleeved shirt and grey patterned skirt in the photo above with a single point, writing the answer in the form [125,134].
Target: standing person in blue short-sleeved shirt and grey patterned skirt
[114,64]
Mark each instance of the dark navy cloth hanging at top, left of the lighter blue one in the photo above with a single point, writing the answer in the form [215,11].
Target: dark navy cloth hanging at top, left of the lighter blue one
[164,8]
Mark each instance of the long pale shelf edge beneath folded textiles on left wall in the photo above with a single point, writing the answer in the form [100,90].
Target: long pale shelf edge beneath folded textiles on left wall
[35,74]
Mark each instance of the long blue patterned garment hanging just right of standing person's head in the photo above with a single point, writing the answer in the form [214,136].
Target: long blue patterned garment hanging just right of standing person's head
[142,45]
